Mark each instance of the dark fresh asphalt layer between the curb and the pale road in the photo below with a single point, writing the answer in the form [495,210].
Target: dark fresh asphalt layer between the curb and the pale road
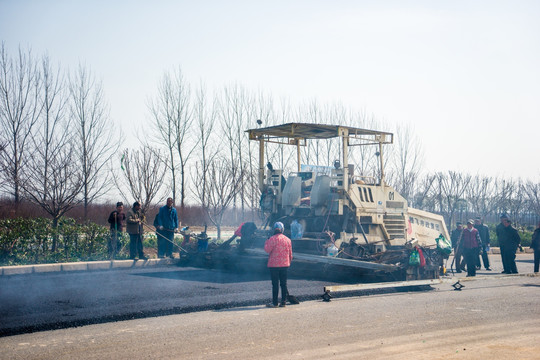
[87,294]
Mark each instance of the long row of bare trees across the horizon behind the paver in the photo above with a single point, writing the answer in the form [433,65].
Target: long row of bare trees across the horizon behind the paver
[59,149]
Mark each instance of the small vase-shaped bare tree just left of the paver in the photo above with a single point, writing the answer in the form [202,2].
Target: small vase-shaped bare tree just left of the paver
[224,180]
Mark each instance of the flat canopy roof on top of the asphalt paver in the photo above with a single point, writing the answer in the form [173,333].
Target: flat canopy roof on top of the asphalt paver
[315,131]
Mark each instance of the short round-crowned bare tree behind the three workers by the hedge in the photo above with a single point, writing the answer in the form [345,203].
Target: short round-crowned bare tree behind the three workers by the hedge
[144,173]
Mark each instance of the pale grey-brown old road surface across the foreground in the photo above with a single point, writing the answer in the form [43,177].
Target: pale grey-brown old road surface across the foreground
[491,318]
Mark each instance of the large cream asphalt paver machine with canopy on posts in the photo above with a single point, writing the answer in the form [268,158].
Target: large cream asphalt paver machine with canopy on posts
[337,217]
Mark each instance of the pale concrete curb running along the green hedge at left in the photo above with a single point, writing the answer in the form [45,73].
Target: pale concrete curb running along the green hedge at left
[84,266]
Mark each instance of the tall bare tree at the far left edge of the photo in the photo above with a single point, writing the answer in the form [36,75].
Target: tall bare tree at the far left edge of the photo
[19,111]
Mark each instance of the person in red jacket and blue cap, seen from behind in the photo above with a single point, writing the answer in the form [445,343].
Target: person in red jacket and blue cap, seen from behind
[279,248]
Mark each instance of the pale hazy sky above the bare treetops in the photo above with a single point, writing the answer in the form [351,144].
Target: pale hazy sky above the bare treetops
[465,75]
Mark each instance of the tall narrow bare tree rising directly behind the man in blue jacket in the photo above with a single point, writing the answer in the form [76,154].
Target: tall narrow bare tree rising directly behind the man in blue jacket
[172,115]
